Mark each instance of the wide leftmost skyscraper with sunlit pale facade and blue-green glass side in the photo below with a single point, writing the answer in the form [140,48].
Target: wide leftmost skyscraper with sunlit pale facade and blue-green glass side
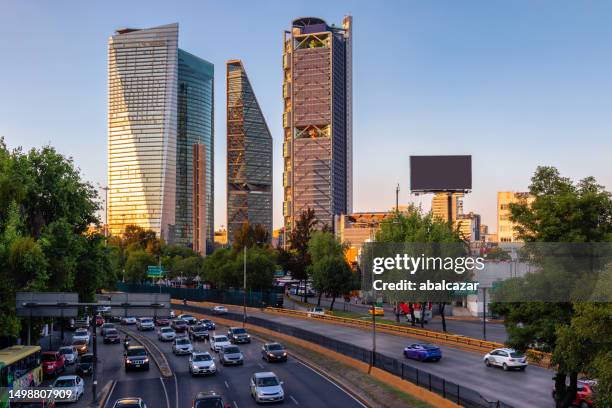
[160,105]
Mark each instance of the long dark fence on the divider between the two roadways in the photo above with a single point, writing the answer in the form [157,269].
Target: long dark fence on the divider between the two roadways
[457,393]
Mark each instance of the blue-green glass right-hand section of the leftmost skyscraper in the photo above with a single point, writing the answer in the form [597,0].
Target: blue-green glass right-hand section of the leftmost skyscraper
[195,131]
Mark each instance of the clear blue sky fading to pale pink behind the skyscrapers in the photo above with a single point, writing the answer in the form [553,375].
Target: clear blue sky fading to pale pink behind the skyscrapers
[516,84]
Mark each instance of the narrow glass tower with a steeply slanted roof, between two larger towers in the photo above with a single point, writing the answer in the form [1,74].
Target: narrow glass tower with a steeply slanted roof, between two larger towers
[249,155]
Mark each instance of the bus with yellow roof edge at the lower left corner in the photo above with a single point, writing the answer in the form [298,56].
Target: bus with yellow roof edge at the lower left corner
[20,368]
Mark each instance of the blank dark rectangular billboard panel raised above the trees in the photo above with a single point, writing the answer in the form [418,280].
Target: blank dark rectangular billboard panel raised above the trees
[440,173]
